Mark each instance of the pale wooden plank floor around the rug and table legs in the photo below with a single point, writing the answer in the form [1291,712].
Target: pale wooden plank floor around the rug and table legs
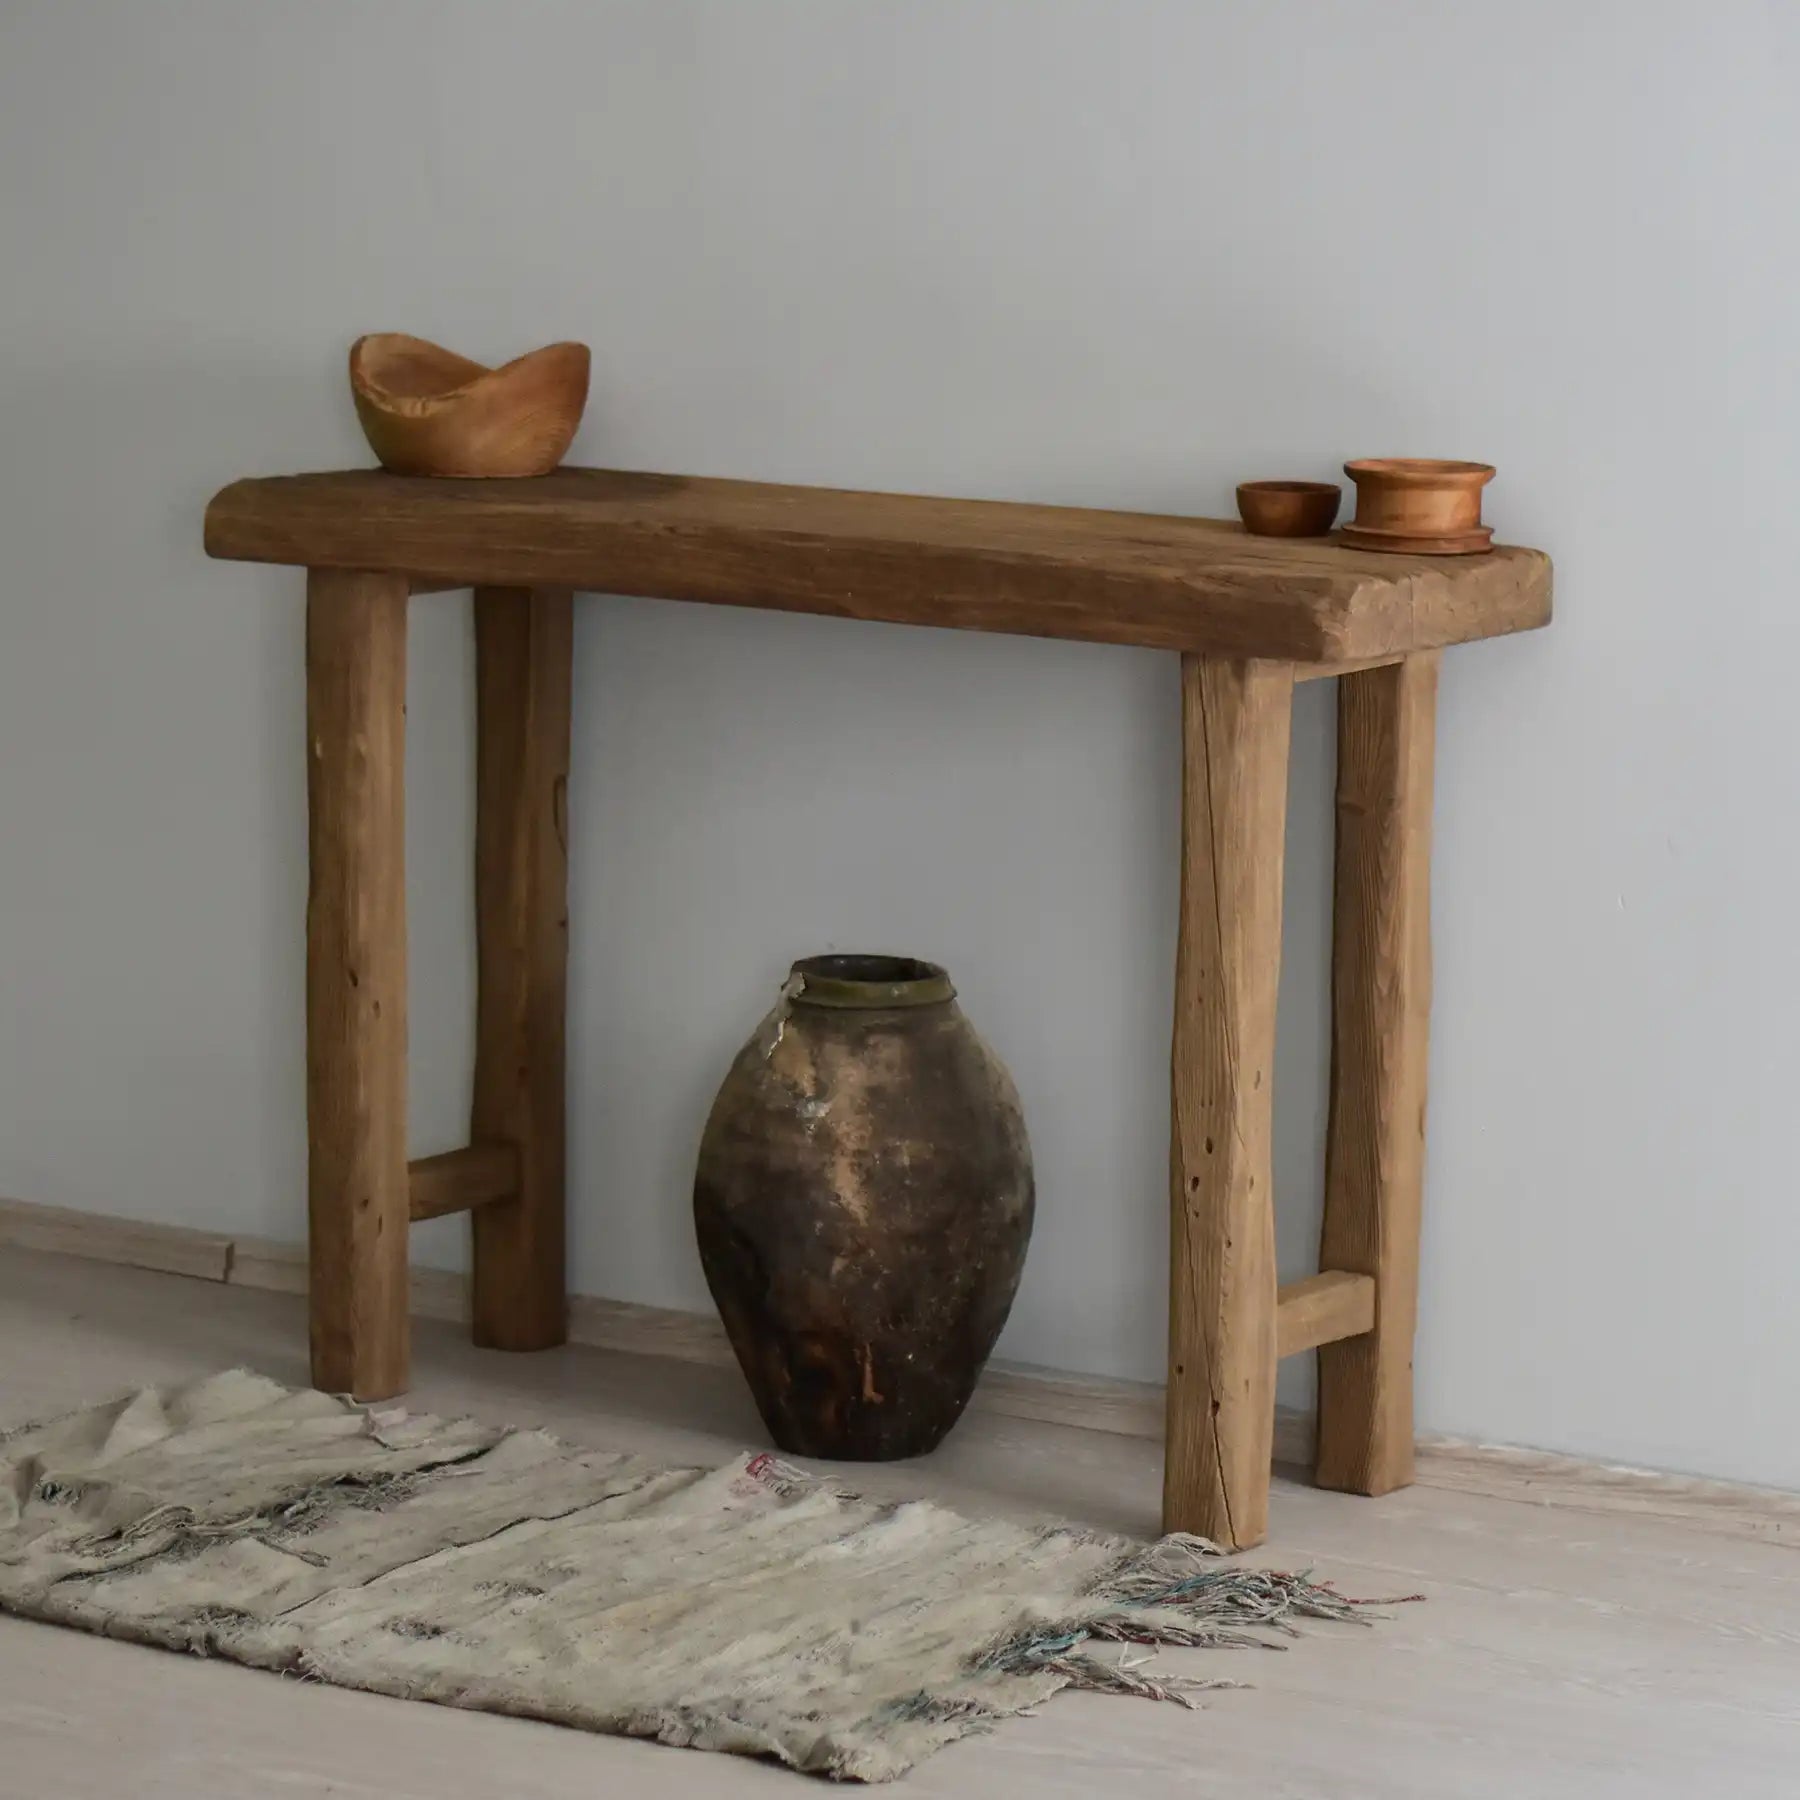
[1558,1653]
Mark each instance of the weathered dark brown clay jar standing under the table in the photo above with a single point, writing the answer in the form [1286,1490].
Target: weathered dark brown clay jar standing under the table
[863,1207]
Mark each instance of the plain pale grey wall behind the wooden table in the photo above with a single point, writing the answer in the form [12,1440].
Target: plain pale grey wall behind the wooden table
[1090,253]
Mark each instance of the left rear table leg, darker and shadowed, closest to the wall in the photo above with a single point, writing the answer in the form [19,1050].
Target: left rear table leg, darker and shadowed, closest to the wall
[523,674]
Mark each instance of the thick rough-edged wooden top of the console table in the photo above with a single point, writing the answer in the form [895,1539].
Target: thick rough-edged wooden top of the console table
[989,566]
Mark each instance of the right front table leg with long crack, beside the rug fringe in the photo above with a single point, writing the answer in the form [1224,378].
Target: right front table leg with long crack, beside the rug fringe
[1228,957]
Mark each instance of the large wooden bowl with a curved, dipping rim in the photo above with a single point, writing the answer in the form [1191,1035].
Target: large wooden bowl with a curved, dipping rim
[427,411]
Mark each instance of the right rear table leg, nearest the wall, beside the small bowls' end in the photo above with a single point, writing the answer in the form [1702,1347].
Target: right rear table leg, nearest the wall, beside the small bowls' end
[1381,1005]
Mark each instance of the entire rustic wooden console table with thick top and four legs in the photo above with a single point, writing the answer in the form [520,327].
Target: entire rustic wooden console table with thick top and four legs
[1248,616]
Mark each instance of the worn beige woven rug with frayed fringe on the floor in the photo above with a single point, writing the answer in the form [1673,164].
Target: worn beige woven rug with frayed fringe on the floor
[746,1608]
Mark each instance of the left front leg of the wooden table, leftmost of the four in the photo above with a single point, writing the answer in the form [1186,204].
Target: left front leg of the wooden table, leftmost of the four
[357,980]
